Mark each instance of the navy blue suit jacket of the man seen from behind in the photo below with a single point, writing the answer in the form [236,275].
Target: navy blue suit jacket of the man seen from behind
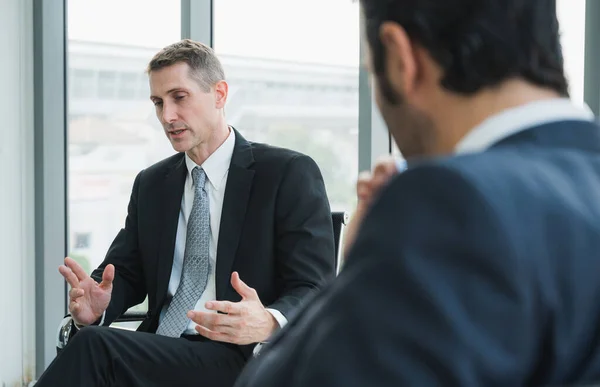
[476,270]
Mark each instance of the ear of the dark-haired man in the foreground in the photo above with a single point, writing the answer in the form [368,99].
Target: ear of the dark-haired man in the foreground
[401,65]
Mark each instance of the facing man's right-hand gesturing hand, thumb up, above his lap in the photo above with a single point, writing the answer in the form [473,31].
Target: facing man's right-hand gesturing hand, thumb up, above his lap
[246,321]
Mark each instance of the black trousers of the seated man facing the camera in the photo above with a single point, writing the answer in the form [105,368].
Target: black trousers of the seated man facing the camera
[102,356]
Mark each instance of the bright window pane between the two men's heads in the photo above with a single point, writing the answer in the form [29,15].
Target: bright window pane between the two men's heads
[294,83]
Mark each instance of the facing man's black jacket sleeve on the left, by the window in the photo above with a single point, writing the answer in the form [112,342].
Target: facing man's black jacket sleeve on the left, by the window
[128,286]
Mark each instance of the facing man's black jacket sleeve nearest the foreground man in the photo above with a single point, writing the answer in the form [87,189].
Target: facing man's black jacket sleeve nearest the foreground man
[304,235]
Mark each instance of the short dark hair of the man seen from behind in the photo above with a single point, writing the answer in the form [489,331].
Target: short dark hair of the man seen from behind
[477,43]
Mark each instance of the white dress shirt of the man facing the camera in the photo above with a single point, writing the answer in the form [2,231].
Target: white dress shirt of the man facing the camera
[216,168]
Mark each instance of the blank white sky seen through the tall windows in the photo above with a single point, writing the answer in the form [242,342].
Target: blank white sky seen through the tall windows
[312,31]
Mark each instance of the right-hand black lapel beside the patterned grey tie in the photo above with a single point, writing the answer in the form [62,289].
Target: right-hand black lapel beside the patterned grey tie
[235,202]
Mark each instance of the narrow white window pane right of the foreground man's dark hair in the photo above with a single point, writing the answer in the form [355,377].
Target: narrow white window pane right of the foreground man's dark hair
[571,16]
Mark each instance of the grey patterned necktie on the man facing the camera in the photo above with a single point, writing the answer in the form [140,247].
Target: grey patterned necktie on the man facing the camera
[196,264]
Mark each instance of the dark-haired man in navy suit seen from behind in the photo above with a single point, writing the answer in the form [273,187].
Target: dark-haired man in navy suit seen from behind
[478,265]
